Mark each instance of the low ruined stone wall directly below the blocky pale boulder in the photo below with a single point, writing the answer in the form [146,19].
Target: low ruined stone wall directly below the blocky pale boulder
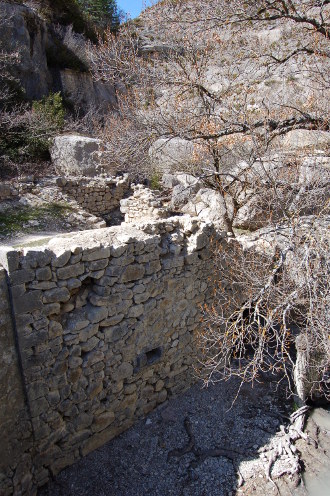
[98,196]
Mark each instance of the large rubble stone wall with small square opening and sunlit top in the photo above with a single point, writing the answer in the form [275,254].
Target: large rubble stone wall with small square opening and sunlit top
[106,323]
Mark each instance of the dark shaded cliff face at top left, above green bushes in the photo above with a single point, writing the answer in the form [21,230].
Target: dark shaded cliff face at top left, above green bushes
[44,63]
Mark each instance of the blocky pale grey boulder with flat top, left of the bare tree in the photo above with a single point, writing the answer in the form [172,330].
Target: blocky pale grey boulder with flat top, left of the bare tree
[76,155]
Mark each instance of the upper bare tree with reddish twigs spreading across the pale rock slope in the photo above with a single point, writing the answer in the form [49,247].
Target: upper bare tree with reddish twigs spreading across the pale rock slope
[215,85]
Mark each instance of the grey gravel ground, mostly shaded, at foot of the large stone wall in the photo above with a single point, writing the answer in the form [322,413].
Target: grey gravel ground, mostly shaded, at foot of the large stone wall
[194,445]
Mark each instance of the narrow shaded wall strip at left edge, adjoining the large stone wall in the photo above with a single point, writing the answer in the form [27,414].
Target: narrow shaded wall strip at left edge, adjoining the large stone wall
[15,424]
